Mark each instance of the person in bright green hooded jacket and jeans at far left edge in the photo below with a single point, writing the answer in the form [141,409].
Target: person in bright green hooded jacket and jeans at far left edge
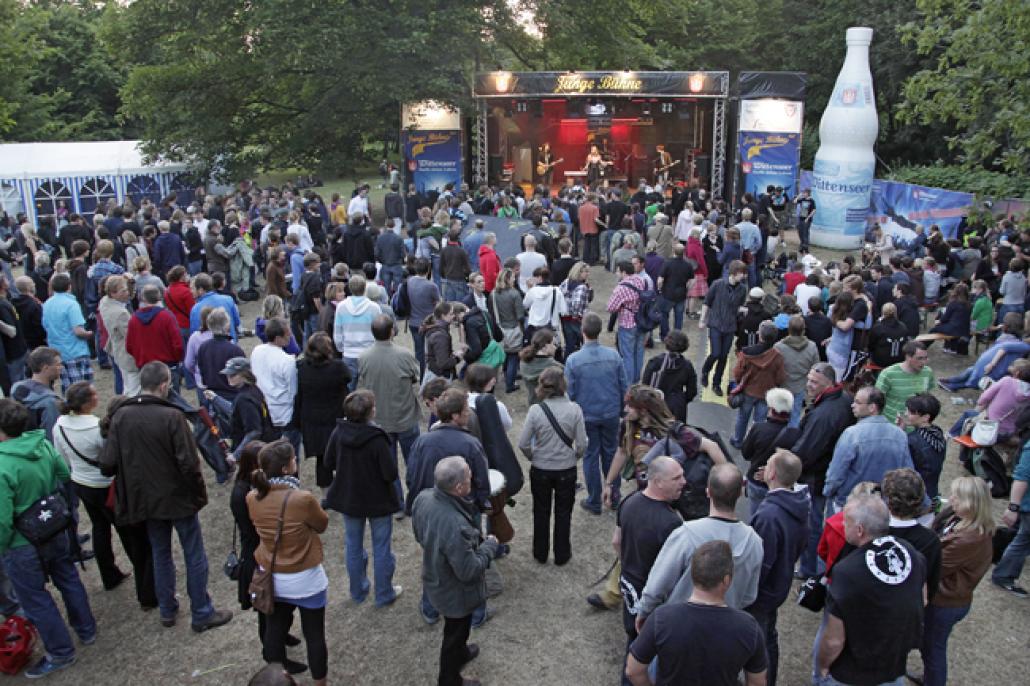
[30,470]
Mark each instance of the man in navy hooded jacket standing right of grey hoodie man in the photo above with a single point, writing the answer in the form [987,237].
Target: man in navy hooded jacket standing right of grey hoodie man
[782,522]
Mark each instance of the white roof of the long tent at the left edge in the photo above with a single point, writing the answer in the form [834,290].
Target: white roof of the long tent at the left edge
[56,160]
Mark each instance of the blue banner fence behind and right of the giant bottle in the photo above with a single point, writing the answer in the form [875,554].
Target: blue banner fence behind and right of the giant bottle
[899,208]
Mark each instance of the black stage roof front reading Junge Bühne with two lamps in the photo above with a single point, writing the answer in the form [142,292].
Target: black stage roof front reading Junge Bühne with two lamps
[602,84]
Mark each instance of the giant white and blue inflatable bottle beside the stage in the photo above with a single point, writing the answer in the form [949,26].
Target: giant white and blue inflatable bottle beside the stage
[845,163]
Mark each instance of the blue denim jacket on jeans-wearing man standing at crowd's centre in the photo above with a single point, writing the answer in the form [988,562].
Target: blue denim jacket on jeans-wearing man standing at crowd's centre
[597,382]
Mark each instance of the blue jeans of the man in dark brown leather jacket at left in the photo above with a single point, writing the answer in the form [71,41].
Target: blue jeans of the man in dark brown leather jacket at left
[188,529]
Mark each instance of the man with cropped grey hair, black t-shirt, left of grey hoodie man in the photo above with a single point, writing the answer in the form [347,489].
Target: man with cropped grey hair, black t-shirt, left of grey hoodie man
[643,523]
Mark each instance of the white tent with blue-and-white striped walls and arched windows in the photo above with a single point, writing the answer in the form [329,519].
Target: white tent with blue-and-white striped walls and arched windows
[38,179]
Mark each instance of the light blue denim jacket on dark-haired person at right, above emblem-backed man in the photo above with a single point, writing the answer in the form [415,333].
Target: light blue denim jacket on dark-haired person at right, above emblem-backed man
[866,453]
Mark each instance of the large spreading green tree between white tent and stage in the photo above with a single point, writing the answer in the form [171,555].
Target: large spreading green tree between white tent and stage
[269,84]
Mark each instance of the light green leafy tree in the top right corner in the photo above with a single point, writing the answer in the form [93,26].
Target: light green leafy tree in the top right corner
[979,84]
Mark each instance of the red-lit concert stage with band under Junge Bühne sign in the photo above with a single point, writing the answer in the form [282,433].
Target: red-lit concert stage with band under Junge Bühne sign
[602,128]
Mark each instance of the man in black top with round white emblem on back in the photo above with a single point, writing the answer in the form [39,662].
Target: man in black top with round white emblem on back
[875,605]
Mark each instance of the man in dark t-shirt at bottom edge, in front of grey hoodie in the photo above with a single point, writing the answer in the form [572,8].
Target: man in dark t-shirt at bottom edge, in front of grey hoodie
[701,642]
